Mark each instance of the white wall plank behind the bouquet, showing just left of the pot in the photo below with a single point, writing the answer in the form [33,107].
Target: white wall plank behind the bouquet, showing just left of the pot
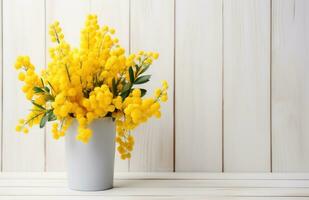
[71,14]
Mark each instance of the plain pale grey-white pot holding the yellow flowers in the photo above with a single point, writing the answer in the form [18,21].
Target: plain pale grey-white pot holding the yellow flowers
[90,167]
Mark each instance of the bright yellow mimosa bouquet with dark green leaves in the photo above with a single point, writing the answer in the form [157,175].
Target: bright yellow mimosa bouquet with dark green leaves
[93,81]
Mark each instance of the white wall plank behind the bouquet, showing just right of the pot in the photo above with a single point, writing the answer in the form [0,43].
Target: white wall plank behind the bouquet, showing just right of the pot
[115,14]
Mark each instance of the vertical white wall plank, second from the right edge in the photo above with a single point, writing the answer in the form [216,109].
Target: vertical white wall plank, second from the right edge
[247,85]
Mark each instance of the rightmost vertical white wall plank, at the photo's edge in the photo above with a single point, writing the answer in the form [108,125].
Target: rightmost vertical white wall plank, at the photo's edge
[290,86]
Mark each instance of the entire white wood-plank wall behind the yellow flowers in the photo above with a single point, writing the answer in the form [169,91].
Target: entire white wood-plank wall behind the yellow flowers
[238,73]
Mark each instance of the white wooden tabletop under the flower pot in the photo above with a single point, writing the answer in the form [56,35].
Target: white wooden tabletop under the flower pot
[213,186]
